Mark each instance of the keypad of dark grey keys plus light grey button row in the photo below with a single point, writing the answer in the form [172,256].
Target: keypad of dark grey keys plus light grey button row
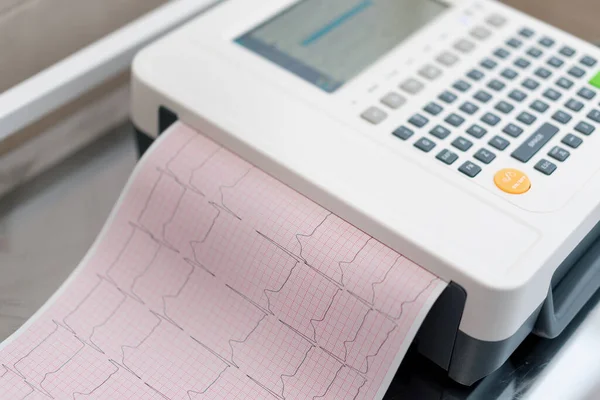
[524,92]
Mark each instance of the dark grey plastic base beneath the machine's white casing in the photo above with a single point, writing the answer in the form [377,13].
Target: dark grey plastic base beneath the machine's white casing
[466,359]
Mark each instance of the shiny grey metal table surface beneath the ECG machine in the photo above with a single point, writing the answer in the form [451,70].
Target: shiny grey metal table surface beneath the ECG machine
[47,226]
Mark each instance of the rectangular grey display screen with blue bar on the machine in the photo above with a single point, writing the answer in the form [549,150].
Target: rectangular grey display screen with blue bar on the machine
[328,42]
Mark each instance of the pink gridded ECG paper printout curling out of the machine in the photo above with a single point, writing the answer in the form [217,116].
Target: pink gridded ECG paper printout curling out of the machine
[212,280]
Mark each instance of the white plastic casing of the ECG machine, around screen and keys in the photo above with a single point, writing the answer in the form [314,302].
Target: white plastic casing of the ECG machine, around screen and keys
[502,249]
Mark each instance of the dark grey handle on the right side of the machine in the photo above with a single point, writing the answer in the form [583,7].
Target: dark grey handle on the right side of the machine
[571,294]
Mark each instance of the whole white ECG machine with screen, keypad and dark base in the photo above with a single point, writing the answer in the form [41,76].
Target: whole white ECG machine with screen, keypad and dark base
[463,134]
